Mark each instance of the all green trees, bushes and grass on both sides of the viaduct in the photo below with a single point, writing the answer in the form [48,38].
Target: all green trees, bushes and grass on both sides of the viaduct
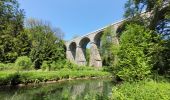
[138,50]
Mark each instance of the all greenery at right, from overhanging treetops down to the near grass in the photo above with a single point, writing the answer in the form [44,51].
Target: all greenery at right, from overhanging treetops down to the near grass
[143,52]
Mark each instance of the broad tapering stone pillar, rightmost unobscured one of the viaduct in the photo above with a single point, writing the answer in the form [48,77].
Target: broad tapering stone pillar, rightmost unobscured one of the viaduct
[95,58]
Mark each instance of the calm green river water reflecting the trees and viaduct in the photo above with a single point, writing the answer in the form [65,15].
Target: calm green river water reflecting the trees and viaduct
[70,90]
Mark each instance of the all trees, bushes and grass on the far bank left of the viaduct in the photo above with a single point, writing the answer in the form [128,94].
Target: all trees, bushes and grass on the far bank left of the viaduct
[34,52]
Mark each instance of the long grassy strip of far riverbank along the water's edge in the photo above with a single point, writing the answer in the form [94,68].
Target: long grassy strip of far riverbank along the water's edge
[27,77]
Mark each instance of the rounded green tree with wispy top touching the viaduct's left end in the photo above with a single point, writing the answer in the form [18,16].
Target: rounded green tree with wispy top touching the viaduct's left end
[45,45]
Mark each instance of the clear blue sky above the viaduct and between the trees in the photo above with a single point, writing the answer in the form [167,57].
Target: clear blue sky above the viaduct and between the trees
[75,17]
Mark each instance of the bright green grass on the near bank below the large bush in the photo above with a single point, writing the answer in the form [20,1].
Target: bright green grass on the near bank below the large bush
[143,90]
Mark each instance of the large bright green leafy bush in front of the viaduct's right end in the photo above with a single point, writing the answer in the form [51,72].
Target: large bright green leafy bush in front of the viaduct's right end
[137,48]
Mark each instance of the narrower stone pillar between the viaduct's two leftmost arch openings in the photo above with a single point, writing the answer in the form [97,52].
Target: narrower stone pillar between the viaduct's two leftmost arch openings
[80,57]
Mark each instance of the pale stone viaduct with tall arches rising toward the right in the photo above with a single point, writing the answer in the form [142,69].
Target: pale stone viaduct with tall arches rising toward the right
[76,48]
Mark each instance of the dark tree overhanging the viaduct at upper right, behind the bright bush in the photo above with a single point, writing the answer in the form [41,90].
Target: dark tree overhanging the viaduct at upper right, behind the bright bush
[157,21]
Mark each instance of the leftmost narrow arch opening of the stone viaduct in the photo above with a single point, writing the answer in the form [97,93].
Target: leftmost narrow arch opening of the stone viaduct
[72,48]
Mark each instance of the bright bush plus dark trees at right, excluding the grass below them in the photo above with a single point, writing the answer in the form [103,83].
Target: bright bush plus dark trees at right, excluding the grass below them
[143,50]
